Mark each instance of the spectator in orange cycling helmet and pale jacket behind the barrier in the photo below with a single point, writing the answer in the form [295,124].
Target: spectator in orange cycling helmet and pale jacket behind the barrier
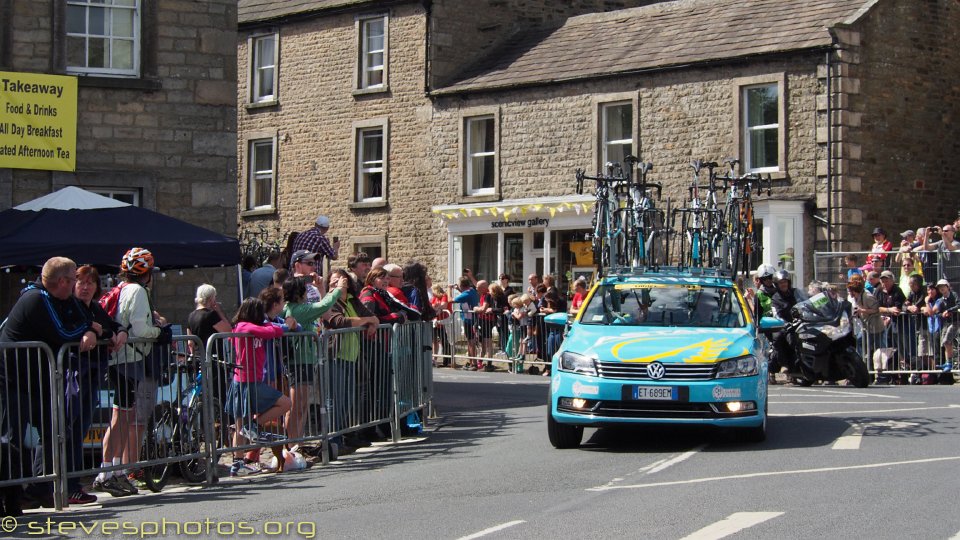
[135,387]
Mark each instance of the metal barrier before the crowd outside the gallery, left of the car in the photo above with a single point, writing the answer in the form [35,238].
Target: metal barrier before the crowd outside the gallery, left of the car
[500,342]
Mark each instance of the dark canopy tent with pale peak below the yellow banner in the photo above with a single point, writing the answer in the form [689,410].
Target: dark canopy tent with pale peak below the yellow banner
[91,229]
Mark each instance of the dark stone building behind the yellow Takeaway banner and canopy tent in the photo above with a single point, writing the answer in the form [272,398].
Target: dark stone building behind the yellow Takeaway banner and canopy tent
[156,113]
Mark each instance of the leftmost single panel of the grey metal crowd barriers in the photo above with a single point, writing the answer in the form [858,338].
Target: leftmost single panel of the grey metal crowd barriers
[29,423]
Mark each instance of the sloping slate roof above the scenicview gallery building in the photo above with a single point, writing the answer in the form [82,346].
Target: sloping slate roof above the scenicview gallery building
[656,36]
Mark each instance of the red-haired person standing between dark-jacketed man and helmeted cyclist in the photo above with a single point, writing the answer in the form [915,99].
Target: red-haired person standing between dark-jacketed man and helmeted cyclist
[91,371]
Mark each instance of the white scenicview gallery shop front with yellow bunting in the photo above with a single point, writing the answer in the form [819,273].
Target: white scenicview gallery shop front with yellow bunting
[520,237]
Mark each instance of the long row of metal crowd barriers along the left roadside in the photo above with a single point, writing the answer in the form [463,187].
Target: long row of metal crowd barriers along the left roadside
[161,408]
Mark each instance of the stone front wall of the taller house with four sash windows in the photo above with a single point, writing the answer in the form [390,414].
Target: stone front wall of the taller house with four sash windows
[314,122]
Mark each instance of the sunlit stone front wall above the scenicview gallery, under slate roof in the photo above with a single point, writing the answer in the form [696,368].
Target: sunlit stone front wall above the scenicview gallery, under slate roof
[547,133]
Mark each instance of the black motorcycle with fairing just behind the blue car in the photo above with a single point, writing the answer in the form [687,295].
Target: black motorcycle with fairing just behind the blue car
[822,343]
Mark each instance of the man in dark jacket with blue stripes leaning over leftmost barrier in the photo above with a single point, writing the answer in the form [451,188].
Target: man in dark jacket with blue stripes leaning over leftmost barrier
[47,312]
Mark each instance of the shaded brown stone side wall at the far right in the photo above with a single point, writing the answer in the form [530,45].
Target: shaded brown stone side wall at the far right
[901,119]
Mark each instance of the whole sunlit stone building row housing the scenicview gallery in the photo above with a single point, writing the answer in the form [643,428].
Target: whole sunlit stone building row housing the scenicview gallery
[450,131]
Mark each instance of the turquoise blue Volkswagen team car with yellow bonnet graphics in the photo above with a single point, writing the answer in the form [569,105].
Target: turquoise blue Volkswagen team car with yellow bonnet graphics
[661,348]
